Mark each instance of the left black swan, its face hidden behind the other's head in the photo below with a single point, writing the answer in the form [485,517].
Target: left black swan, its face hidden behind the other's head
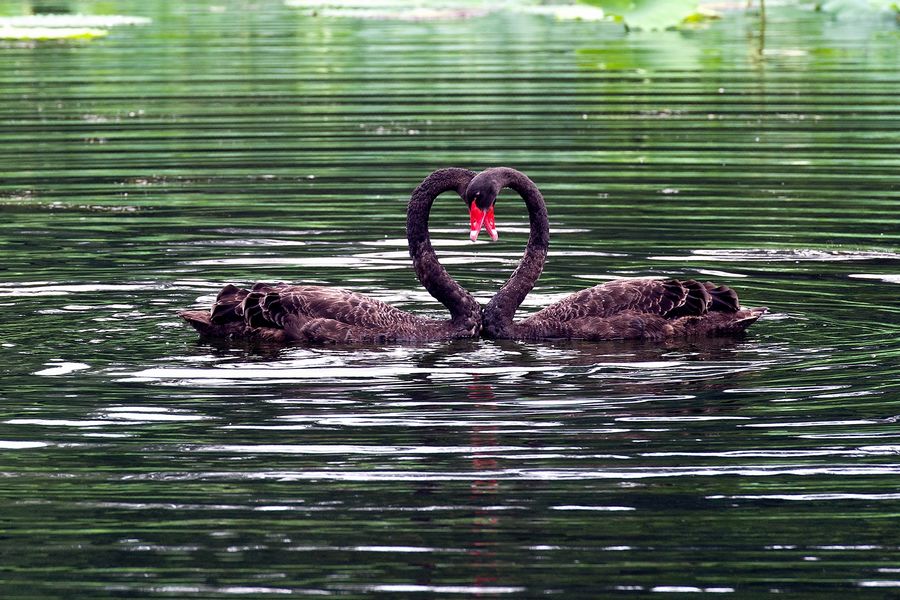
[306,313]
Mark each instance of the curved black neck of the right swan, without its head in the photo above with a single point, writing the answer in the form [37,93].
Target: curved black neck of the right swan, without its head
[498,314]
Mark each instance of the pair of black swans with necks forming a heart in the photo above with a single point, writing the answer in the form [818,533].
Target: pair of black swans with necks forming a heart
[650,309]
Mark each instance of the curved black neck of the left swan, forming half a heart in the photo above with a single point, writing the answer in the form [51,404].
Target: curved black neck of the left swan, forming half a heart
[430,272]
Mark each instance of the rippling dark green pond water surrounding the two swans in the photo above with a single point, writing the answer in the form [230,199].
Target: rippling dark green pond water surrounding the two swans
[142,170]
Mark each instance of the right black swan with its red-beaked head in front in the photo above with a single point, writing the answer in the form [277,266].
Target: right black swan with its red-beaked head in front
[650,309]
